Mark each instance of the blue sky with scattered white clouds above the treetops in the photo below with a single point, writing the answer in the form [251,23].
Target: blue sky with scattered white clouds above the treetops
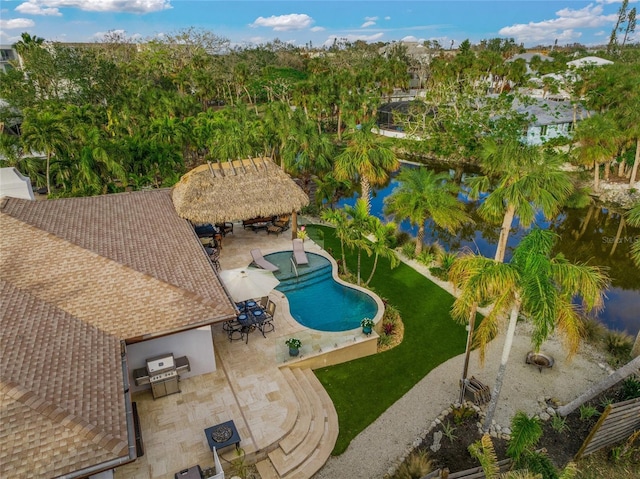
[302,22]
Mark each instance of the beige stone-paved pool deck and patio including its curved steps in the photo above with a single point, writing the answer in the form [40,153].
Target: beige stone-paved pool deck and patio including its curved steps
[286,421]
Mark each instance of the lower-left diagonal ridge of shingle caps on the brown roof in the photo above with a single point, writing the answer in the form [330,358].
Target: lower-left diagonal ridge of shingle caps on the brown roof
[61,416]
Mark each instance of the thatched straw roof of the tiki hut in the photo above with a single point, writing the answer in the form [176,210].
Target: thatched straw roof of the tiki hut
[236,190]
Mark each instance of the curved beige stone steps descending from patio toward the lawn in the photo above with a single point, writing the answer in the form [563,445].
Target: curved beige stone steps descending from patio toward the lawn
[301,457]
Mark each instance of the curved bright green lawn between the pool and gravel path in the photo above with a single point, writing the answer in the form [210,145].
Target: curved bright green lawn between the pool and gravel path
[363,389]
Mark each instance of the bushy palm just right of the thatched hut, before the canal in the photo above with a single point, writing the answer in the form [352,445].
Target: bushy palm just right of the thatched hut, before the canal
[365,158]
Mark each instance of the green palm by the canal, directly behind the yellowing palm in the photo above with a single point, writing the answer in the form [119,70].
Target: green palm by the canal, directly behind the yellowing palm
[528,178]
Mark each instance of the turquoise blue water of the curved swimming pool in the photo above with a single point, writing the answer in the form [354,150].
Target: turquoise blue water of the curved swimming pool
[316,300]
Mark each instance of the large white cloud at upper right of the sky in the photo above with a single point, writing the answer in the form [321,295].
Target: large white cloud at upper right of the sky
[564,27]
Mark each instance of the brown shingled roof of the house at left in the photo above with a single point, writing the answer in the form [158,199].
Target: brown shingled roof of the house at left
[78,277]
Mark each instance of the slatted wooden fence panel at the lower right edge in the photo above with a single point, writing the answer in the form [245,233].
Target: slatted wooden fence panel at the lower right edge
[617,423]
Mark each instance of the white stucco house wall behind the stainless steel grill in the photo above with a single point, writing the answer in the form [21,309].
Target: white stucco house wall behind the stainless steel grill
[196,345]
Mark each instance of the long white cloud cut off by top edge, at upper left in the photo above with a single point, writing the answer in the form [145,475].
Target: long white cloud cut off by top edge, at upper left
[50,7]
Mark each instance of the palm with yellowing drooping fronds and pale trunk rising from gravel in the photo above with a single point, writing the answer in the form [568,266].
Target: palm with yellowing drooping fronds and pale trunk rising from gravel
[533,284]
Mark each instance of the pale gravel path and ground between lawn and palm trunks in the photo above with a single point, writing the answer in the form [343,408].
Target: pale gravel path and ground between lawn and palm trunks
[380,447]
